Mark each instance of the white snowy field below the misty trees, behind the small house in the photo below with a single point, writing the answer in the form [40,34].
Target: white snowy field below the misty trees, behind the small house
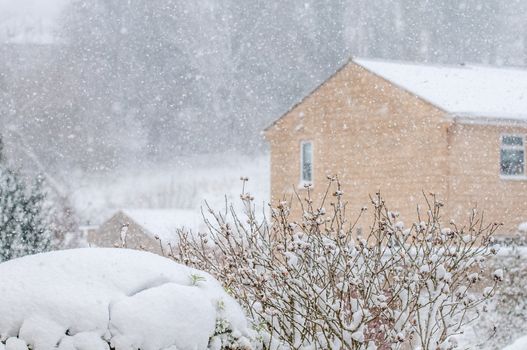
[185,184]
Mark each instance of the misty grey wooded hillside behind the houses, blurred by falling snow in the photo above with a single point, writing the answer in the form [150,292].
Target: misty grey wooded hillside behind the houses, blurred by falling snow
[97,88]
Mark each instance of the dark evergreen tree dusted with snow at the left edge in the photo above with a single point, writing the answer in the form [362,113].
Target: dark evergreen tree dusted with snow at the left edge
[24,217]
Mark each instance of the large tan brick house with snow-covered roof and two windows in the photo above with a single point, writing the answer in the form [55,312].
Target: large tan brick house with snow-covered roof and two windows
[404,128]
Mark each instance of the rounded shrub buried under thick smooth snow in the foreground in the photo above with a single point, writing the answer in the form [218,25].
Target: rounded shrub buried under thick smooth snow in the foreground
[91,299]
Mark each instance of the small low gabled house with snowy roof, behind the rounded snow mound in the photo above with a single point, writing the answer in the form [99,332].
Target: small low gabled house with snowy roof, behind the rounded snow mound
[144,229]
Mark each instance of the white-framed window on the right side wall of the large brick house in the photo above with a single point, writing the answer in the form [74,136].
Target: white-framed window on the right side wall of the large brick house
[512,155]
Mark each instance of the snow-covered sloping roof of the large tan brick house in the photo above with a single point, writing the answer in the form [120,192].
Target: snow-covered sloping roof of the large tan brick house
[468,90]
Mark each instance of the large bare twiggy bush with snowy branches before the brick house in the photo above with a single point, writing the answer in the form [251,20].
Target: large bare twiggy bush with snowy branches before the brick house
[316,284]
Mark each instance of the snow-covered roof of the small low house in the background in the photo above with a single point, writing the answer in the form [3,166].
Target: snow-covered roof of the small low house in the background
[164,222]
